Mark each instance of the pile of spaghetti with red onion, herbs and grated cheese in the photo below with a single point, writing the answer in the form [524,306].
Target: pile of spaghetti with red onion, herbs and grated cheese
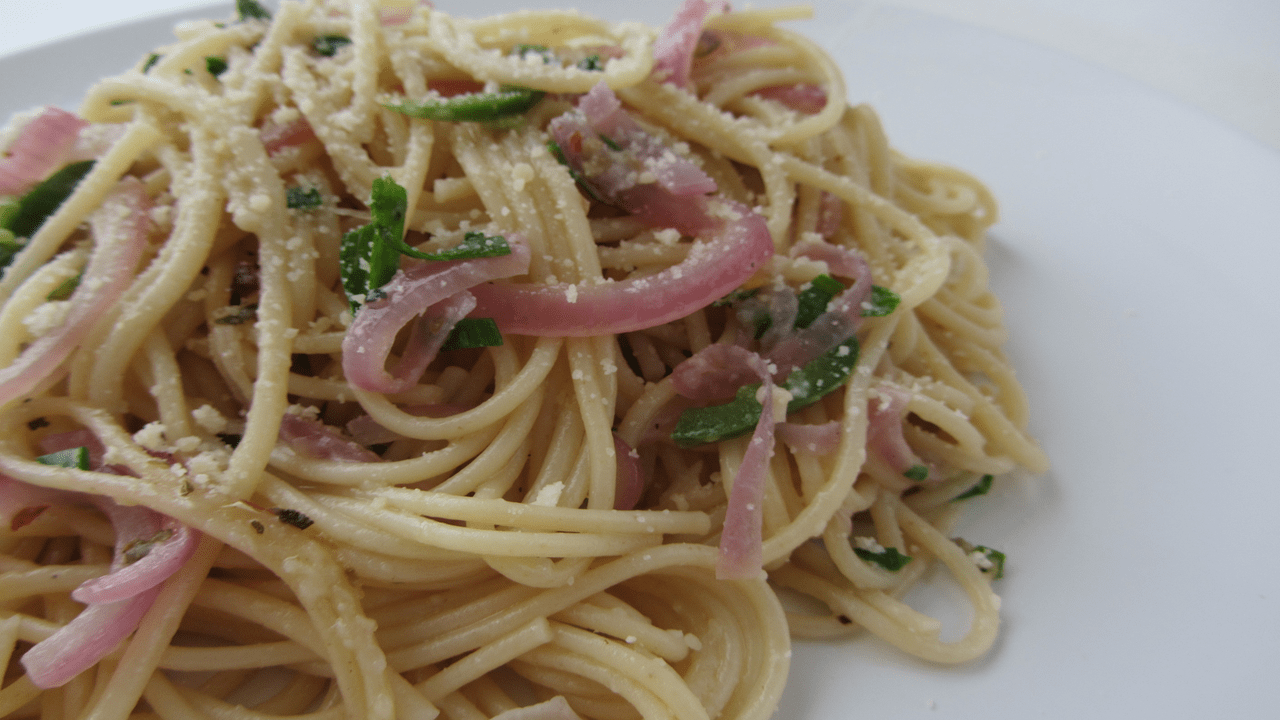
[367,362]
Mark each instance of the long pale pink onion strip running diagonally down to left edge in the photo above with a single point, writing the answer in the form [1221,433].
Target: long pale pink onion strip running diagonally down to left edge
[121,231]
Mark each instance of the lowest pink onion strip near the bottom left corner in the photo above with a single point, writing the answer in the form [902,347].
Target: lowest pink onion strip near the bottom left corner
[79,645]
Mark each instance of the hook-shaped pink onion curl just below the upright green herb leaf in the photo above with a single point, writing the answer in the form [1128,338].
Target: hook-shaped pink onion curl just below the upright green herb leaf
[437,293]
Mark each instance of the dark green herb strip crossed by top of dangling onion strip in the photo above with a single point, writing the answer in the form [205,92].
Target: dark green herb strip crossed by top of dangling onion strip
[824,375]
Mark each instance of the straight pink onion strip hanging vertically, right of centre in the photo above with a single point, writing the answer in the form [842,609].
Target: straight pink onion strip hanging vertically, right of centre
[742,548]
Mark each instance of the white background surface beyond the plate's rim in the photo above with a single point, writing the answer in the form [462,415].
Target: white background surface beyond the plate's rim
[1219,56]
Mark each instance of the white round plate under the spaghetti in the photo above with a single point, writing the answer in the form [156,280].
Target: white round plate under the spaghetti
[1137,262]
